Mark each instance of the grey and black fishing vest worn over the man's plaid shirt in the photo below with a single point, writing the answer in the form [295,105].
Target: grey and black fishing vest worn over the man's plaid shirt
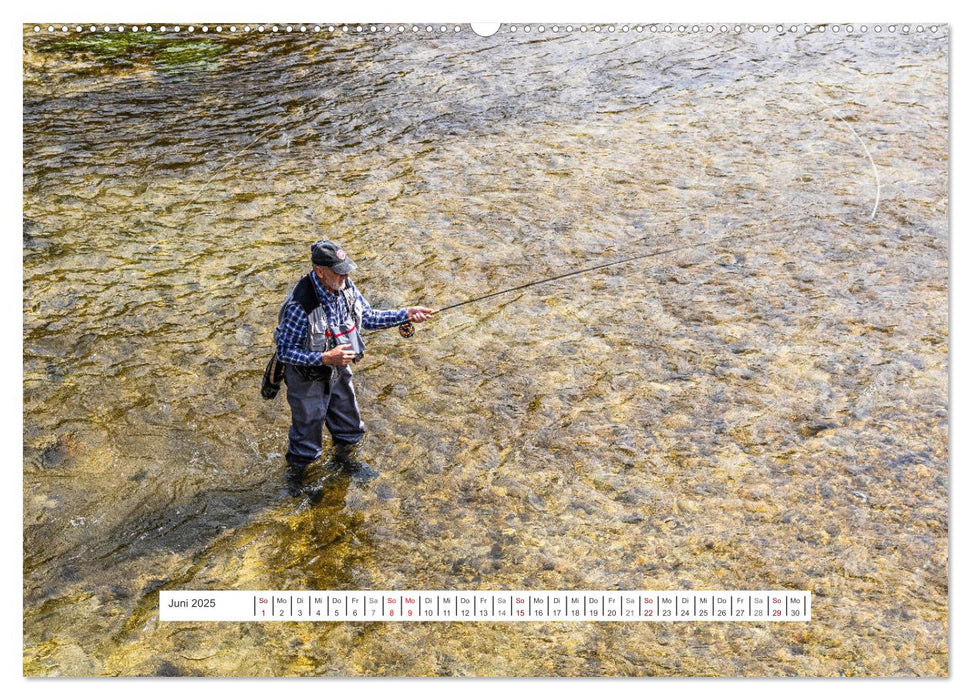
[322,335]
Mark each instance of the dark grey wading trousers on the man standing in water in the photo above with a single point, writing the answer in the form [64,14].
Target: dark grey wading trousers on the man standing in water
[312,406]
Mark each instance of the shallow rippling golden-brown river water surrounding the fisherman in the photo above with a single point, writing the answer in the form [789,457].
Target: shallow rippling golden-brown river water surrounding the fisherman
[765,411]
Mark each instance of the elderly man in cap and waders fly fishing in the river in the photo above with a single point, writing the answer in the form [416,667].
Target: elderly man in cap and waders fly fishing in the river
[318,336]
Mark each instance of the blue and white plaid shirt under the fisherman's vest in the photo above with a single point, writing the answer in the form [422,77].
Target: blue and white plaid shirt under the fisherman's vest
[291,334]
